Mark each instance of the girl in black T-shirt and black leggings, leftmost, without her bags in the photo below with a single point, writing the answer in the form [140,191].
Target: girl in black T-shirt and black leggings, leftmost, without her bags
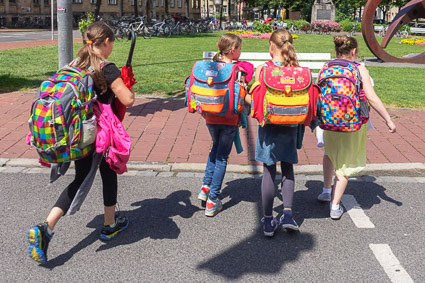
[98,41]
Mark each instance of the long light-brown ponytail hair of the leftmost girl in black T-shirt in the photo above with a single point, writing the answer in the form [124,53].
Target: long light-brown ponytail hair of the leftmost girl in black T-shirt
[94,35]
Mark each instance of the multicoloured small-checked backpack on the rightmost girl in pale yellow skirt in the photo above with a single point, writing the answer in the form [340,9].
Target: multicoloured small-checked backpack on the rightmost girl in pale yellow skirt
[340,101]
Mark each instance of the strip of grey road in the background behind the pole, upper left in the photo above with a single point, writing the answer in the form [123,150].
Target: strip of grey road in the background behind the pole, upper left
[14,36]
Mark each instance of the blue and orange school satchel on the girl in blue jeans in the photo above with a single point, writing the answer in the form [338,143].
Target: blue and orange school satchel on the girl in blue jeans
[212,87]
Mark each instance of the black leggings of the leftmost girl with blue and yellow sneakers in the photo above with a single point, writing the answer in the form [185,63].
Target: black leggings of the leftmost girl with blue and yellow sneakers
[82,168]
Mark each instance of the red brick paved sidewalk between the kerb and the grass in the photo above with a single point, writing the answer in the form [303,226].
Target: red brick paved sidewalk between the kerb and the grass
[163,131]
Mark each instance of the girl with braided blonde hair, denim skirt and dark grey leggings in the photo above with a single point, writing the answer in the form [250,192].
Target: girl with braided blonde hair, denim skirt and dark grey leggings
[278,143]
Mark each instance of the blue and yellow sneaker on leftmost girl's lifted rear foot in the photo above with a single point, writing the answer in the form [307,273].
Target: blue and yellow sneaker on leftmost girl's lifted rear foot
[38,240]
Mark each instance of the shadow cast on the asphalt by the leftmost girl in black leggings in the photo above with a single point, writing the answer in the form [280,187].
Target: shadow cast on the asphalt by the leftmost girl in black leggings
[143,224]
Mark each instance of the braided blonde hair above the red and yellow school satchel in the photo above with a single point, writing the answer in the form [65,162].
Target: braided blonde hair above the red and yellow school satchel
[282,40]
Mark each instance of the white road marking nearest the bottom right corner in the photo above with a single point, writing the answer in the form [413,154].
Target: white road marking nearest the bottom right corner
[390,263]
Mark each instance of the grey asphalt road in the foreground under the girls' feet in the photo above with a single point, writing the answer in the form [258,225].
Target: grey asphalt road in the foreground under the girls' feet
[170,240]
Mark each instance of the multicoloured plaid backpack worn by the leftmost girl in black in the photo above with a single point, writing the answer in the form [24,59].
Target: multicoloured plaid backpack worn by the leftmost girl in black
[62,122]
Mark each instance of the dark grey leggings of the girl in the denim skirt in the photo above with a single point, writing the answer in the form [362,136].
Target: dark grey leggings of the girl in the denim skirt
[267,186]
